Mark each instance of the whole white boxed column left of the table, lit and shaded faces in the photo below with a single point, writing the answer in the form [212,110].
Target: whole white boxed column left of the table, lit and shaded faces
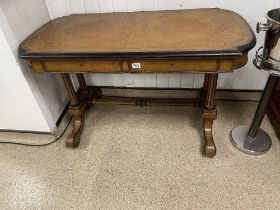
[29,101]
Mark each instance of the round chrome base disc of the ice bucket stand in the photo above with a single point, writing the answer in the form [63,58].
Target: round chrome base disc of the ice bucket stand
[252,146]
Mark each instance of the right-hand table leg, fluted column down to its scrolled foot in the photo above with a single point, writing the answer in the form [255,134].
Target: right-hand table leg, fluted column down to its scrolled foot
[209,112]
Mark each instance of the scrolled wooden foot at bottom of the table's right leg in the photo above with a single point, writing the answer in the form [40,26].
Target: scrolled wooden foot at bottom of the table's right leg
[209,145]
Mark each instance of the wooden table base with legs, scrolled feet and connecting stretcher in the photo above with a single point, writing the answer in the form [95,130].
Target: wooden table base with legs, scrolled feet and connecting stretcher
[86,96]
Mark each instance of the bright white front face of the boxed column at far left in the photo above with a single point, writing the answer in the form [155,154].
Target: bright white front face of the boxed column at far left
[18,107]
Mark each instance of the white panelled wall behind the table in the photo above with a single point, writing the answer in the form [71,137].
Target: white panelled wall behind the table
[246,78]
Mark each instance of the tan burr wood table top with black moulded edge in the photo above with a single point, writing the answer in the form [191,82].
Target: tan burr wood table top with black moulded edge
[160,34]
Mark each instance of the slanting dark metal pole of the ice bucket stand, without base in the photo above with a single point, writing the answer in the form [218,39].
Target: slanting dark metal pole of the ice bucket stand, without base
[261,110]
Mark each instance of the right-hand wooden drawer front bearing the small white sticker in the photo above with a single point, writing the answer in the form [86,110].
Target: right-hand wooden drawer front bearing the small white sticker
[173,65]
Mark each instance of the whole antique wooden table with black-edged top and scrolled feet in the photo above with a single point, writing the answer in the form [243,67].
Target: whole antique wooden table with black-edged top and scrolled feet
[208,41]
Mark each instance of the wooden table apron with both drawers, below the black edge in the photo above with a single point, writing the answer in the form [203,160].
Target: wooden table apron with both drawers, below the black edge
[137,65]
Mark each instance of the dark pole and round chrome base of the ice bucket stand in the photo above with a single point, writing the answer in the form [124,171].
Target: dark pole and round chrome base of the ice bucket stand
[252,139]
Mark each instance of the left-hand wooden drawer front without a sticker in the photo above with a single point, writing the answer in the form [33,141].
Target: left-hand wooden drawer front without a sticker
[95,66]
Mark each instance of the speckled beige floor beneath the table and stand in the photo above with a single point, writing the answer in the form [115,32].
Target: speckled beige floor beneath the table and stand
[142,158]
